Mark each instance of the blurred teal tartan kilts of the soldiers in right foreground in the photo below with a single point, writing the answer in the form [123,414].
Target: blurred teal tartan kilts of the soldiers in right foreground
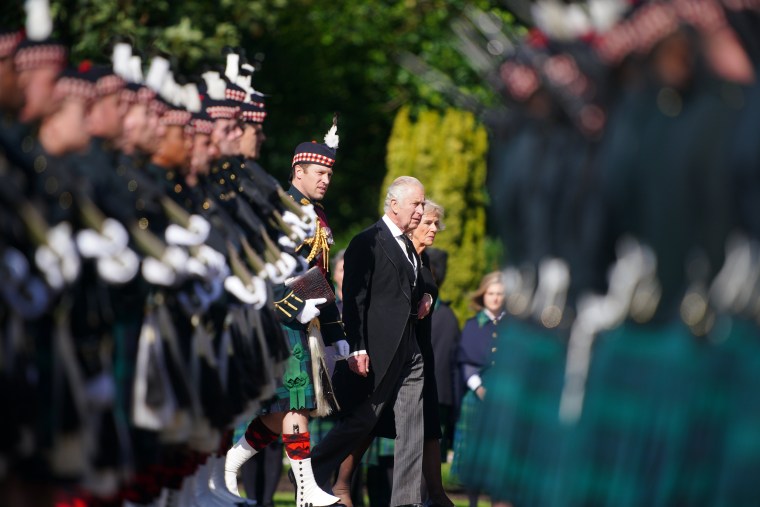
[668,419]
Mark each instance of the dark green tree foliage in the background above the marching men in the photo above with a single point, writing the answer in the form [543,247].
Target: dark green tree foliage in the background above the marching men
[315,57]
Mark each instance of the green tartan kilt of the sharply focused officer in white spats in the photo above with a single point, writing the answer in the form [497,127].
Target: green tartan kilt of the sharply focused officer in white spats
[295,389]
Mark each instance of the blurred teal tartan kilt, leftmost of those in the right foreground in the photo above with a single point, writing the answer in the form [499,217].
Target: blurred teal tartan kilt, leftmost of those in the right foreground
[513,437]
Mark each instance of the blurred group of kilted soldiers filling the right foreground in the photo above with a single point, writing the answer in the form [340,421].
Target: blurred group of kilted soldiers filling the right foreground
[625,184]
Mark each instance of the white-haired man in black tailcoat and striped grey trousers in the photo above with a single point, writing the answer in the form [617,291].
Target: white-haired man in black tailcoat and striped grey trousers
[382,301]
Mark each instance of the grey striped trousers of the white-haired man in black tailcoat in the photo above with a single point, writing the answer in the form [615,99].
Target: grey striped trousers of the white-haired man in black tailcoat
[400,389]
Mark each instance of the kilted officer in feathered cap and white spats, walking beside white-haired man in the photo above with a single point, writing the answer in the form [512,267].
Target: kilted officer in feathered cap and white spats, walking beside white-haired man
[296,396]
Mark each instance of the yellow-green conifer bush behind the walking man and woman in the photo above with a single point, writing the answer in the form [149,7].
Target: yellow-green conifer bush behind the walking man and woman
[447,153]
